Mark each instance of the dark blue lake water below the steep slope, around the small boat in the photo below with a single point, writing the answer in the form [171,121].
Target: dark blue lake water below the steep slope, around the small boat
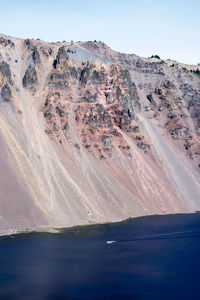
[153,258]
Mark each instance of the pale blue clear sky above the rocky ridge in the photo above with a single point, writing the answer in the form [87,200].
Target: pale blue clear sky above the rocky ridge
[169,28]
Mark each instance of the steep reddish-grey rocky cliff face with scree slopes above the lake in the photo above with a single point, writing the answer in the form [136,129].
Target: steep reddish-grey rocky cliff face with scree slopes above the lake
[92,135]
